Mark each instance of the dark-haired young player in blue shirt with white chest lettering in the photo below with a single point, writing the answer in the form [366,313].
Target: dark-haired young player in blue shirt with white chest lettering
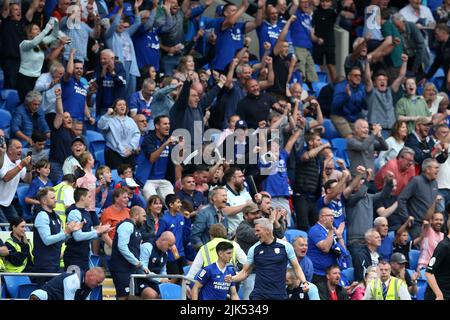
[210,283]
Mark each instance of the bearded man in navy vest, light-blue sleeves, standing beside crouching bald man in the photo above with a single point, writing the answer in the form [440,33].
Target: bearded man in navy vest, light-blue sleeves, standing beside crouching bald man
[126,252]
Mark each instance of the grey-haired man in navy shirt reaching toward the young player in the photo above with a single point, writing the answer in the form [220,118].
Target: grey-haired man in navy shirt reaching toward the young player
[270,257]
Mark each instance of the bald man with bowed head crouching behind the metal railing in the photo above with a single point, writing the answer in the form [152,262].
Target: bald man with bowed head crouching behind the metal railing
[154,259]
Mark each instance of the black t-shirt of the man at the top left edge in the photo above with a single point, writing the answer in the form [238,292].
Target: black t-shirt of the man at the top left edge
[12,33]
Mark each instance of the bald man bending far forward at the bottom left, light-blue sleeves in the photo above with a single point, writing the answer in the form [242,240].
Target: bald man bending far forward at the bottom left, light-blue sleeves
[70,286]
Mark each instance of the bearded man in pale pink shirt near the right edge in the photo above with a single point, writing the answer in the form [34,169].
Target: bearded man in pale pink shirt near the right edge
[432,236]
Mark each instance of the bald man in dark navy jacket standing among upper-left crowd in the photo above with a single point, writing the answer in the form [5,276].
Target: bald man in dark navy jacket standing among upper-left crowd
[111,81]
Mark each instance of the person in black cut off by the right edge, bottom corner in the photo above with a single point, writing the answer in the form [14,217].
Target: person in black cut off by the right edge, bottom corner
[439,265]
